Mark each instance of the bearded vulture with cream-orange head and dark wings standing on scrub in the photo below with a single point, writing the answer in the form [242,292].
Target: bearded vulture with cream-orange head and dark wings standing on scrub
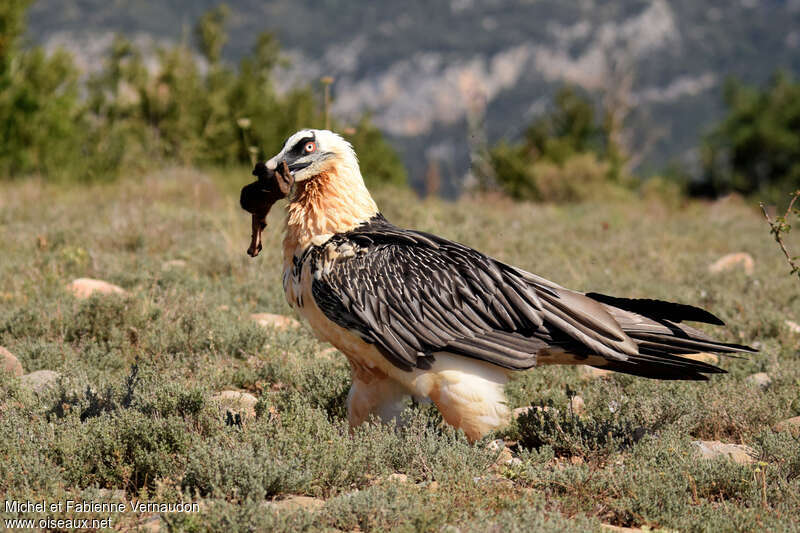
[419,315]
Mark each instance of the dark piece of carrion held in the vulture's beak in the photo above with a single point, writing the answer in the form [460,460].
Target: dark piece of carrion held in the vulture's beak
[258,197]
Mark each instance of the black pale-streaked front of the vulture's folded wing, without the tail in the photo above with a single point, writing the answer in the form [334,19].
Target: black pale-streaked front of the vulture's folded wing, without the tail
[414,294]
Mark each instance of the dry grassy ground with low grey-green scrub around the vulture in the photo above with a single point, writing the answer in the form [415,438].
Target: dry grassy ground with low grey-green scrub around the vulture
[132,410]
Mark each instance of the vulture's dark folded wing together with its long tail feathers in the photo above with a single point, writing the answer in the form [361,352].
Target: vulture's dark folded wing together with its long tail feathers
[413,294]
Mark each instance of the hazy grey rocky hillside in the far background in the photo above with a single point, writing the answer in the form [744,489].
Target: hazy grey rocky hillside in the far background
[420,68]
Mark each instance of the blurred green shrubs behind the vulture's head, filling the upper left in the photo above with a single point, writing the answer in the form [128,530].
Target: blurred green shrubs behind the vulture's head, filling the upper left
[189,108]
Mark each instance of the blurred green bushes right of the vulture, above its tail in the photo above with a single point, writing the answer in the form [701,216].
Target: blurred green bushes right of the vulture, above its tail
[568,154]
